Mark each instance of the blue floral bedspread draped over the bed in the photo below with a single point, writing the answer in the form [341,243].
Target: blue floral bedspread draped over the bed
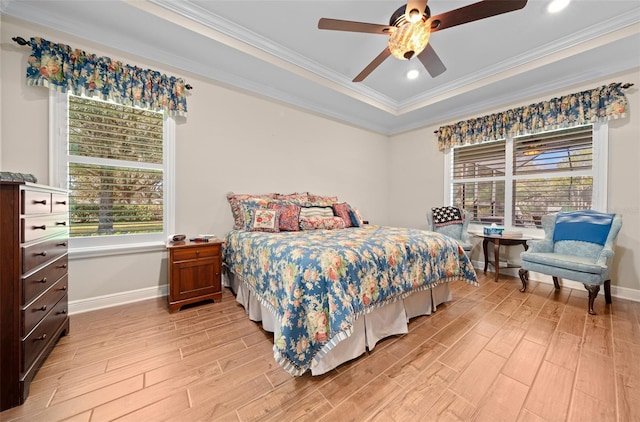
[318,282]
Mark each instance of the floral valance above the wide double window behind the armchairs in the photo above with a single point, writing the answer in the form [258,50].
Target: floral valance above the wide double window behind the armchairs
[596,105]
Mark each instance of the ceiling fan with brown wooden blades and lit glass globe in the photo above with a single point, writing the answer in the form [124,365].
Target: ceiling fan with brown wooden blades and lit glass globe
[410,28]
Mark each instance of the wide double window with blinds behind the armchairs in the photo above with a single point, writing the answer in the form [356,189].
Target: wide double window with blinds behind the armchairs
[514,181]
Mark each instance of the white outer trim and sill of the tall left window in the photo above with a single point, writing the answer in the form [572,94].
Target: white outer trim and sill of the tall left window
[58,173]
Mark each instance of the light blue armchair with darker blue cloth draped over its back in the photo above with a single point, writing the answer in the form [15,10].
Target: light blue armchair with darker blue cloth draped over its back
[578,246]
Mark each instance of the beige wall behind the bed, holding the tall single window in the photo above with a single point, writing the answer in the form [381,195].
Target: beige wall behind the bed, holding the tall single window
[230,141]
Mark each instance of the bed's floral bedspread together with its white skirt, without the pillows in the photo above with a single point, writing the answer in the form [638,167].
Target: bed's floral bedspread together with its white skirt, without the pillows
[327,295]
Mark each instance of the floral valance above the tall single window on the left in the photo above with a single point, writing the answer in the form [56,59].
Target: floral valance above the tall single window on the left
[60,67]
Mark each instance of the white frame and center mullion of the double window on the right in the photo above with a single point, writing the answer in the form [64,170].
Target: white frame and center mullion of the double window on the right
[599,171]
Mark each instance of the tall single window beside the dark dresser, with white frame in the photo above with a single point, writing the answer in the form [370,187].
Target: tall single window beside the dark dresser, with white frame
[113,160]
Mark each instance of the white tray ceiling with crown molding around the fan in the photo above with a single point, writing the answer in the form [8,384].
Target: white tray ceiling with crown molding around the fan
[274,49]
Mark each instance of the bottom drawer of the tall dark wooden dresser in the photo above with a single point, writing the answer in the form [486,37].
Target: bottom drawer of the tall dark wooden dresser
[43,333]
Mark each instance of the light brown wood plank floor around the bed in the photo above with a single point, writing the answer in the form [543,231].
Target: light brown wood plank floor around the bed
[491,354]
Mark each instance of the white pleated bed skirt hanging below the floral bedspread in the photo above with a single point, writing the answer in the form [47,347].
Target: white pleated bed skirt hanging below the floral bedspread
[388,320]
